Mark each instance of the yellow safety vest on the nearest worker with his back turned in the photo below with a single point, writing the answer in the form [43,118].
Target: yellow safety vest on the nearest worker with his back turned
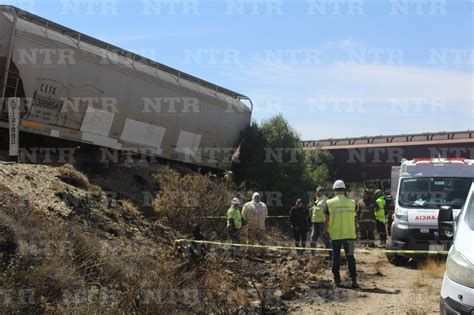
[341,218]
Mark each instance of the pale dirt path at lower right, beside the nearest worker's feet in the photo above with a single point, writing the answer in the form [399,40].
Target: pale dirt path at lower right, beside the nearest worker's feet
[384,289]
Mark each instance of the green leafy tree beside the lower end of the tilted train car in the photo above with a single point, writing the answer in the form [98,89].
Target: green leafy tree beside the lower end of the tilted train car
[272,160]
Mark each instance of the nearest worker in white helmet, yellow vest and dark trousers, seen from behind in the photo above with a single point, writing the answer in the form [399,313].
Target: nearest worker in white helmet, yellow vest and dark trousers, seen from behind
[341,227]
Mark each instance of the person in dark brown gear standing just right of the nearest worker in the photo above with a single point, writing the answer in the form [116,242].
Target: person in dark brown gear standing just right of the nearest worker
[366,217]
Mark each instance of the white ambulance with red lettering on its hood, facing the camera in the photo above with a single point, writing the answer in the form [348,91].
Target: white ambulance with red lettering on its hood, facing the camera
[423,185]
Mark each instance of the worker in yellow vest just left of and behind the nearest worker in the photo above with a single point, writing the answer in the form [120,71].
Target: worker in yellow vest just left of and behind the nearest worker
[317,220]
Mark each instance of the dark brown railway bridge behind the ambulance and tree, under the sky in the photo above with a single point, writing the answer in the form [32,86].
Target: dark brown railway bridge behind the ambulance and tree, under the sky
[365,158]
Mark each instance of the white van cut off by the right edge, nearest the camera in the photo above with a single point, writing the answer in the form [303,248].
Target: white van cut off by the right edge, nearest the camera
[457,291]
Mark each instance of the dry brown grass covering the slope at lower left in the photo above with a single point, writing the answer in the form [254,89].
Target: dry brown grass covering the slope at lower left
[73,269]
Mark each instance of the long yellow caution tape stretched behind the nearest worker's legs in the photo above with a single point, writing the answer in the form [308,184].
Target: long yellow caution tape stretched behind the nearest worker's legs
[277,247]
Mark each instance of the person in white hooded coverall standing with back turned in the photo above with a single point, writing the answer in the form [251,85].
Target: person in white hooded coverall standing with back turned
[254,214]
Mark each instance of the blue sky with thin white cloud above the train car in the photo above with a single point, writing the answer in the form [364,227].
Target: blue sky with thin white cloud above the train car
[334,68]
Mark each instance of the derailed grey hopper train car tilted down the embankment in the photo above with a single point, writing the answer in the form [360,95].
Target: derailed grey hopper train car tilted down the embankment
[77,88]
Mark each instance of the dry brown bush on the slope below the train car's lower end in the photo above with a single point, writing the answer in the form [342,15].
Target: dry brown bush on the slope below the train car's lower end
[185,199]
